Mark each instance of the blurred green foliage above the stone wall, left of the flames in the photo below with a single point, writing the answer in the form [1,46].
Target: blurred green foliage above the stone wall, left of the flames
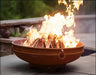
[17,9]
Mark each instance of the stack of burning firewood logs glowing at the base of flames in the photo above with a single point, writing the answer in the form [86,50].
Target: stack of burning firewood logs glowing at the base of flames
[49,43]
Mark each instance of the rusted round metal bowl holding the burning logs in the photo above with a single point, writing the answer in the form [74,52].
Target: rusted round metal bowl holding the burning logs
[46,56]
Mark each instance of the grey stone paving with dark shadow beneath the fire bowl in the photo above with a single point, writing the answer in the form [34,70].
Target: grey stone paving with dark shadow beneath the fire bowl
[12,65]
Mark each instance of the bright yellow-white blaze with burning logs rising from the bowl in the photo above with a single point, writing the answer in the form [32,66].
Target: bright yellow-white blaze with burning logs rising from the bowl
[51,35]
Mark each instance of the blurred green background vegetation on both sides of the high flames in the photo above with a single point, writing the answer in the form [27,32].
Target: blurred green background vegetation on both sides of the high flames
[17,9]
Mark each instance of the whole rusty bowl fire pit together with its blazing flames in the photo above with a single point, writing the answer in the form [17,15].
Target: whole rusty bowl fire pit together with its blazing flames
[54,43]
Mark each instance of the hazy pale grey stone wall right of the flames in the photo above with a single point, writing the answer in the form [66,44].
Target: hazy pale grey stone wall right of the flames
[85,24]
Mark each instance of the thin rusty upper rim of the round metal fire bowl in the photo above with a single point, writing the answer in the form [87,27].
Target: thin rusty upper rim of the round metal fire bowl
[13,43]
